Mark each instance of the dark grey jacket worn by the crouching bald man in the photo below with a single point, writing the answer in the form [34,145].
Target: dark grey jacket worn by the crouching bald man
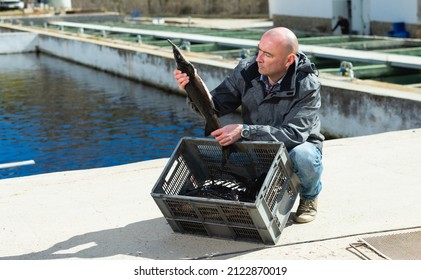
[289,113]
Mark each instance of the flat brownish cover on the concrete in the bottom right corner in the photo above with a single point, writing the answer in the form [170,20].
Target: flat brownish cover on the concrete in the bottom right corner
[400,246]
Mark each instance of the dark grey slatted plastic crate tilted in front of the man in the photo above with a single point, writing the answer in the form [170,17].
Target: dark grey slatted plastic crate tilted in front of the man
[249,198]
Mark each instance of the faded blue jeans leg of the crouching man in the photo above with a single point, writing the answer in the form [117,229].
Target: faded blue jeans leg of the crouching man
[307,163]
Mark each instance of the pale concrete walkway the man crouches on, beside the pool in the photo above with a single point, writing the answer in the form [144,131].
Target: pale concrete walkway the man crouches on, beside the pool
[372,185]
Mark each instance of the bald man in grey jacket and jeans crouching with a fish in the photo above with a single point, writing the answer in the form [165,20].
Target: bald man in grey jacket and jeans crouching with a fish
[279,95]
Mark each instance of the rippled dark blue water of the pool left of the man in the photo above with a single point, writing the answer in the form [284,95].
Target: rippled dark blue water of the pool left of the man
[66,117]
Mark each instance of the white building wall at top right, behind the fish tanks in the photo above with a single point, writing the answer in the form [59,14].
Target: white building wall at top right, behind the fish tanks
[366,17]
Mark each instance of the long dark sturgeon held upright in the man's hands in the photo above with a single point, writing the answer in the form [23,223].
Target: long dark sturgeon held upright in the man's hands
[200,96]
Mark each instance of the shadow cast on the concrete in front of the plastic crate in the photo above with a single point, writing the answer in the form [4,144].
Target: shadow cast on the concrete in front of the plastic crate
[150,239]
